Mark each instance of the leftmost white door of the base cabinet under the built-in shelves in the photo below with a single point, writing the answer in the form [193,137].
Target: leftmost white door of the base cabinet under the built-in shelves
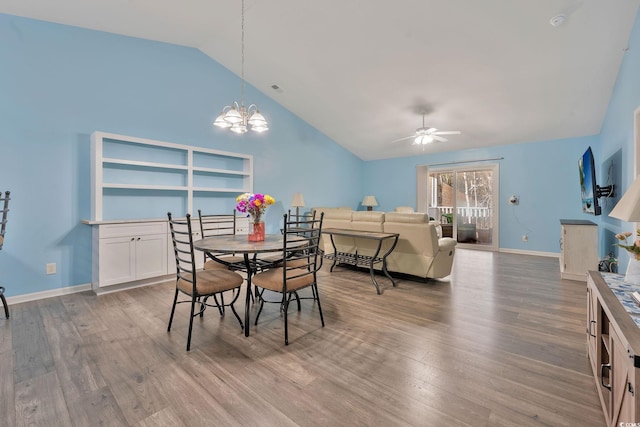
[116,264]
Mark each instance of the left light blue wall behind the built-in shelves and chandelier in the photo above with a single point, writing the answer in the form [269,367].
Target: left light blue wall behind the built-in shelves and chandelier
[58,84]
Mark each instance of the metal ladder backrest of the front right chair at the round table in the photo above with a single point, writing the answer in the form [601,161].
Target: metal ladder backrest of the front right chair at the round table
[300,263]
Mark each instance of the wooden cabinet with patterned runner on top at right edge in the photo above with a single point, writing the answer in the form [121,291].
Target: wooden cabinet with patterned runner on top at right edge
[613,347]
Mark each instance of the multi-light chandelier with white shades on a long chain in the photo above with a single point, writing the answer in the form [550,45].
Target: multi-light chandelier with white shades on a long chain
[236,117]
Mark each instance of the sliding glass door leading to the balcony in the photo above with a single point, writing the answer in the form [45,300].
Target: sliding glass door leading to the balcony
[464,200]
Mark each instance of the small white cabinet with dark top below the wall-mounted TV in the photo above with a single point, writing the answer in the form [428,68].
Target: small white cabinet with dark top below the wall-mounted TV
[578,249]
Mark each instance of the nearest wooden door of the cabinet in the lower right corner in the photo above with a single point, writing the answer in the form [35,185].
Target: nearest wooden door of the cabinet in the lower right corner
[623,405]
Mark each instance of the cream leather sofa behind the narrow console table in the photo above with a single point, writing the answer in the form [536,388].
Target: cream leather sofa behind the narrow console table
[419,251]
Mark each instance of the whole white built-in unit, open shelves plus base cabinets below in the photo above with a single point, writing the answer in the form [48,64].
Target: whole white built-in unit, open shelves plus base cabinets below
[134,183]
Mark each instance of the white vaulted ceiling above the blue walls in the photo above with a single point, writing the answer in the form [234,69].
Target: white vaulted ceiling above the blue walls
[361,71]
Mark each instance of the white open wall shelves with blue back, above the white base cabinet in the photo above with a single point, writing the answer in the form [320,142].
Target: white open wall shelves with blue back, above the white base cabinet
[135,178]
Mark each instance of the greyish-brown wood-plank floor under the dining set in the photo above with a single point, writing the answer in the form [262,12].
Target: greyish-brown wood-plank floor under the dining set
[502,343]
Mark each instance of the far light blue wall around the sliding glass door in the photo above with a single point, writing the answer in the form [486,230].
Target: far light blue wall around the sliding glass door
[544,175]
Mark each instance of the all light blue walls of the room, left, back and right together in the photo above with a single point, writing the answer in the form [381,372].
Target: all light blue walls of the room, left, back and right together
[58,84]
